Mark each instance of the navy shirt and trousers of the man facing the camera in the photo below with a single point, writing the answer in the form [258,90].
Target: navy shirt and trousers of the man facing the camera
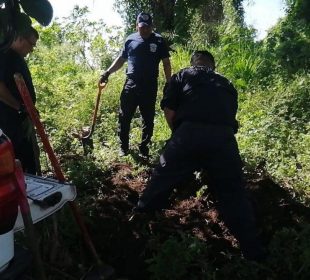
[143,57]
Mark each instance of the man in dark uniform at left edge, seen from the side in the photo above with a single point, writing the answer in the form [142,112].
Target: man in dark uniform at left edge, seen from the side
[14,119]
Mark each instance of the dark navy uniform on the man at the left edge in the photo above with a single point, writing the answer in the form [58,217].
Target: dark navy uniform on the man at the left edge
[15,125]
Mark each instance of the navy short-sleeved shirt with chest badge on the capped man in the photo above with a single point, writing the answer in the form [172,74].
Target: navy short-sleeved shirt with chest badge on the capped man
[144,55]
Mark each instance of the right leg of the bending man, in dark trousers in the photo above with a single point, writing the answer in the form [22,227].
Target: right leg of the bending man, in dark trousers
[226,178]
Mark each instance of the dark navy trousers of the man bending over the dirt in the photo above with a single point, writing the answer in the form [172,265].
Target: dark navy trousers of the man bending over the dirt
[193,147]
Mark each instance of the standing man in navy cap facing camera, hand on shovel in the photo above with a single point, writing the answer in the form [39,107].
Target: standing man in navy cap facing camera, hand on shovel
[143,50]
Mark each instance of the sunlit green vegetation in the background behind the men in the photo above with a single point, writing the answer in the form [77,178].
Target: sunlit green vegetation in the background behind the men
[274,99]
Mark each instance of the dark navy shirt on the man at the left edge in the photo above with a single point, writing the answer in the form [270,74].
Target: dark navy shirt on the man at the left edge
[10,63]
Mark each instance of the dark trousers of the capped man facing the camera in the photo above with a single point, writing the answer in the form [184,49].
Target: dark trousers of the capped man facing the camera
[135,95]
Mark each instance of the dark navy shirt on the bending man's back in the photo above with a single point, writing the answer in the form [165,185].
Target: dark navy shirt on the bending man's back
[198,94]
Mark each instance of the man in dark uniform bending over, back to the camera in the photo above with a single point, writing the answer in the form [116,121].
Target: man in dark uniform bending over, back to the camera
[200,107]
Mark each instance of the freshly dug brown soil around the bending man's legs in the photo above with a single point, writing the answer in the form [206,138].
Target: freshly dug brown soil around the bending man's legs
[126,242]
